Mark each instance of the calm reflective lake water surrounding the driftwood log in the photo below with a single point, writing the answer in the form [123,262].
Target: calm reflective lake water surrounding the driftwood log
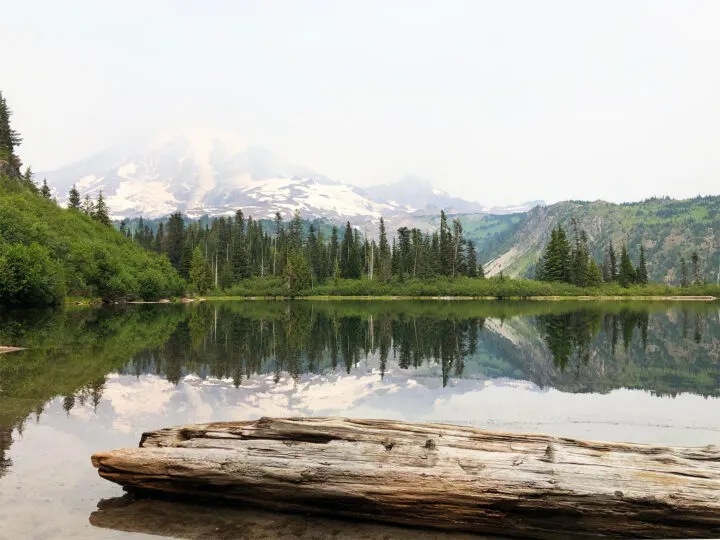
[95,379]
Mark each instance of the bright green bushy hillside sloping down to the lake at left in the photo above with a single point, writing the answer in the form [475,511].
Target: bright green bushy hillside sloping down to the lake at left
[78,255]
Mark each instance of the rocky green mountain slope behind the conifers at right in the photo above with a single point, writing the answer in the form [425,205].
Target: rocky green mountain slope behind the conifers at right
[668,229]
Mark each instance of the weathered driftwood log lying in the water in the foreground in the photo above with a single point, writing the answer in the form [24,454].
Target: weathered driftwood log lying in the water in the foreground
[430,475]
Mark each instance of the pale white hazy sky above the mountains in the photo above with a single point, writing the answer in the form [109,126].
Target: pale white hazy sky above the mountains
[501,101]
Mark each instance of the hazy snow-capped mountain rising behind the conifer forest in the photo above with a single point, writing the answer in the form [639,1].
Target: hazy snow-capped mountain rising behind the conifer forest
[202,172]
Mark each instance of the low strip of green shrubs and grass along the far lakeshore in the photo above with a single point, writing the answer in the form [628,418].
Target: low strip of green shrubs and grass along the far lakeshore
[463,288]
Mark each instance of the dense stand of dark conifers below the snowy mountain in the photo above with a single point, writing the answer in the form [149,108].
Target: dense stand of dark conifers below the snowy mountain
[223,252]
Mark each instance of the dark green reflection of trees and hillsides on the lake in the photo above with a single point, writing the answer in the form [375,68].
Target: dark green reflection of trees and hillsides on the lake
[666,349]
